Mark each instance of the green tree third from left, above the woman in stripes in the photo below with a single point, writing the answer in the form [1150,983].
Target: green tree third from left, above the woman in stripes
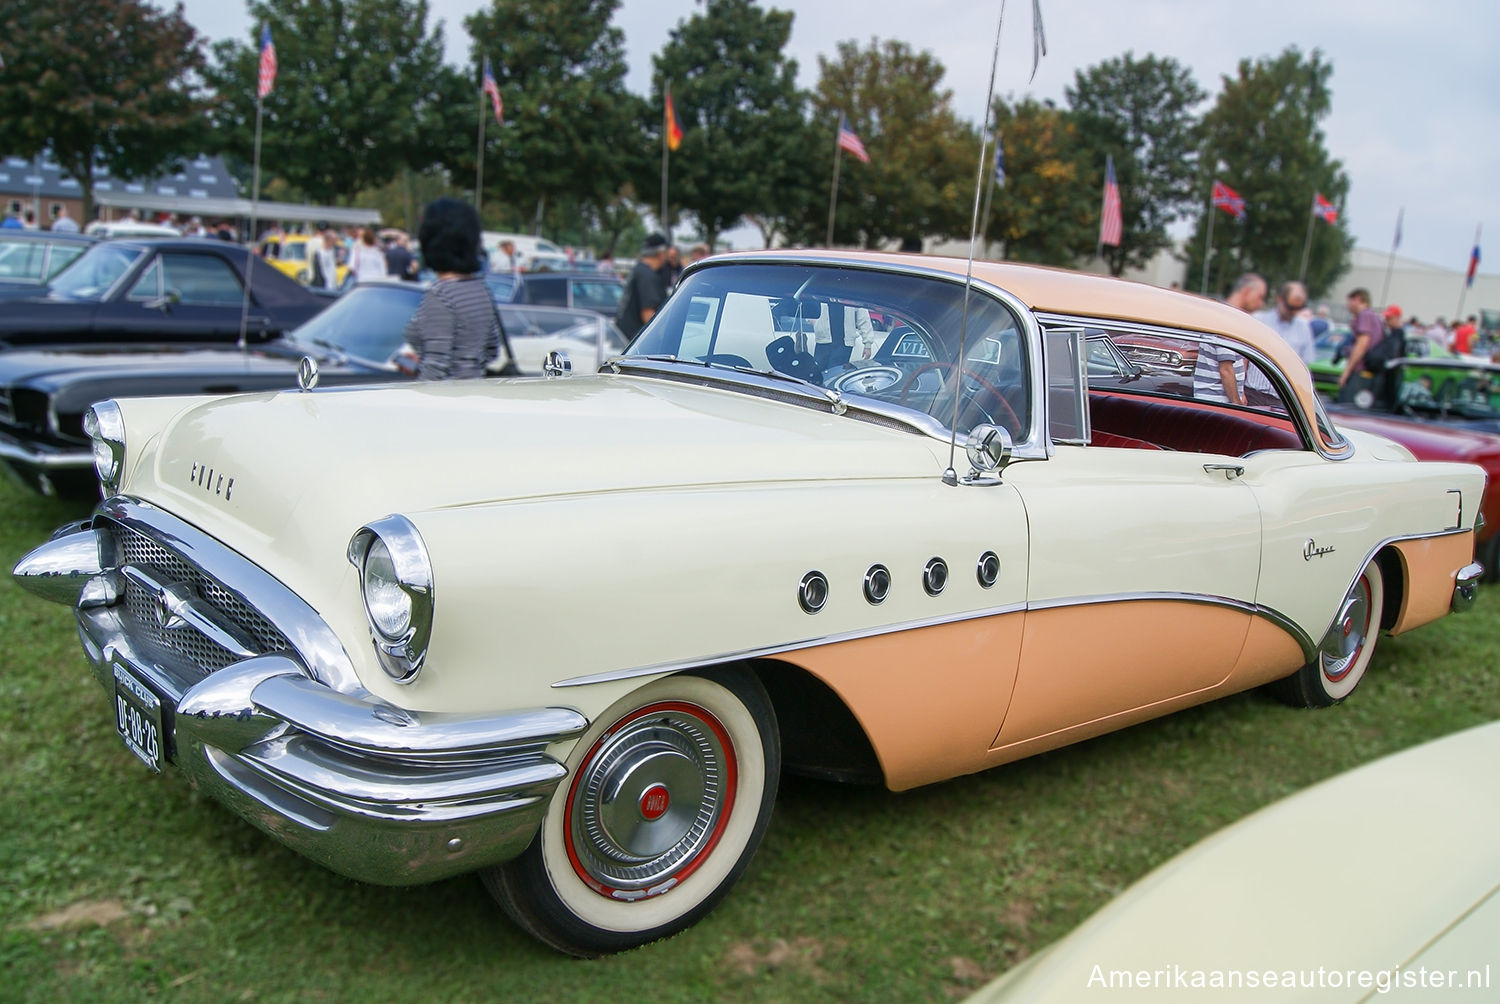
[572,134]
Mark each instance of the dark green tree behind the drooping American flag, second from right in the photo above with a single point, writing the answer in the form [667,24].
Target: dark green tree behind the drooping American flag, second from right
[1141,113]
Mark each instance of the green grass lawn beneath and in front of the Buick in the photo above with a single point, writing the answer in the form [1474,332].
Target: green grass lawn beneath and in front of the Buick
[118,885]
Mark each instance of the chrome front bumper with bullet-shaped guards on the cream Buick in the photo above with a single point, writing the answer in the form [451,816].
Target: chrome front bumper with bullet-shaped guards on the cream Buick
[370,790]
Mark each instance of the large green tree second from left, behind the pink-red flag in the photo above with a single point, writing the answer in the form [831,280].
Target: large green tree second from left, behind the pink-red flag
[355,80]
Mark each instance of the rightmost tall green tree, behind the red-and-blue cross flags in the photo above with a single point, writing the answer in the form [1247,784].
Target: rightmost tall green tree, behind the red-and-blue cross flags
[1262,137]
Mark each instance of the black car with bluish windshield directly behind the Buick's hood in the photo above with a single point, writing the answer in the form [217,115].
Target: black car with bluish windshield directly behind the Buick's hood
[361,338]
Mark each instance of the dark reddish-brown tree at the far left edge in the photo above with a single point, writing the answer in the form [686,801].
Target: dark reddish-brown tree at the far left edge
[101,85]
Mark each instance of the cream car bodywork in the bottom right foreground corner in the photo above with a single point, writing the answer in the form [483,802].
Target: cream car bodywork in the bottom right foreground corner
[1379,885]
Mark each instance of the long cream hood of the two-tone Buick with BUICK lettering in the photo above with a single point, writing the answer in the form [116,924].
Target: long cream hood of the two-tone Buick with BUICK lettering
[296,470]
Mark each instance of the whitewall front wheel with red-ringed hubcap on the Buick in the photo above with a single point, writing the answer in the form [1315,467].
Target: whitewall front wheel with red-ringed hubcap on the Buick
[668,798]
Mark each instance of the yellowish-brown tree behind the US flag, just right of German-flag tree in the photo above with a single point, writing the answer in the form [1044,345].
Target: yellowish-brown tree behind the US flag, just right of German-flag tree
[923,160]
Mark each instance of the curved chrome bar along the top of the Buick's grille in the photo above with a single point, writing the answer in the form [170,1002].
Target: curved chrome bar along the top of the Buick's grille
[308,634]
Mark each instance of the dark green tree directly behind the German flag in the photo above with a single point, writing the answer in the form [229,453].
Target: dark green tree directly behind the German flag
[742,115]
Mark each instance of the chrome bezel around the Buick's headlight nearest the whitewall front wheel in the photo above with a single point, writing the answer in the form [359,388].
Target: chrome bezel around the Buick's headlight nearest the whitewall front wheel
[401,654]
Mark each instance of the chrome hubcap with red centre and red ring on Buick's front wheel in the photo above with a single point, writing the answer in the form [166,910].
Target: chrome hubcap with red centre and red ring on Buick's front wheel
[649,801]
